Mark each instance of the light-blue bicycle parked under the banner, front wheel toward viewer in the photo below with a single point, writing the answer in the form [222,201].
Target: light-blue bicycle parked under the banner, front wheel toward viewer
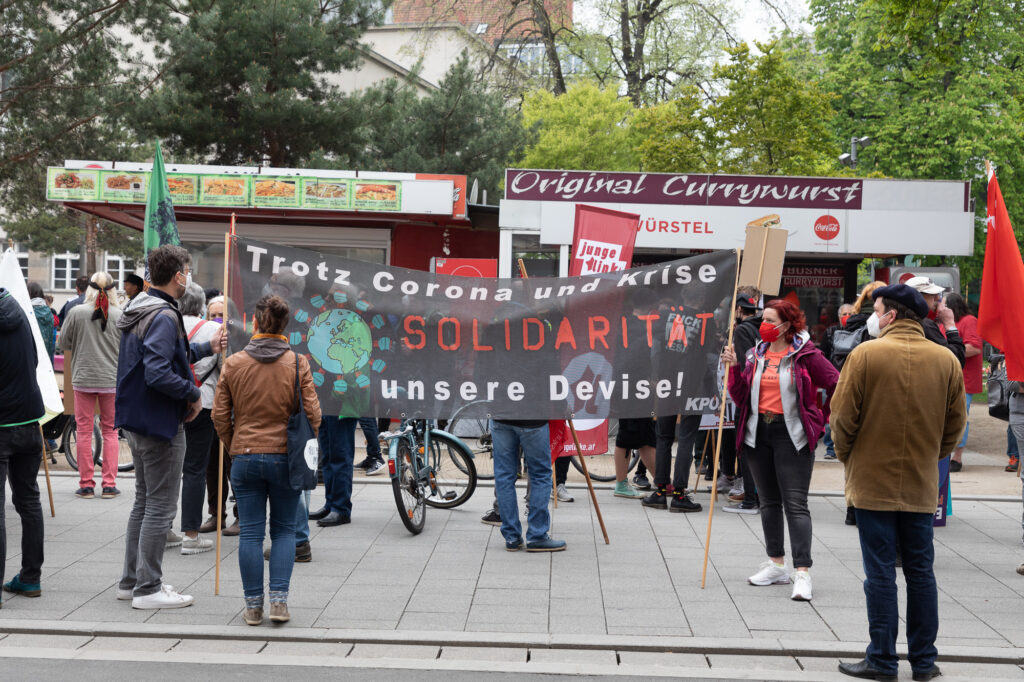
[445,479]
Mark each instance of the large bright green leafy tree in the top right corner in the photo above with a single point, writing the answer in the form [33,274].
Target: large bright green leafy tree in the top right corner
[938,90]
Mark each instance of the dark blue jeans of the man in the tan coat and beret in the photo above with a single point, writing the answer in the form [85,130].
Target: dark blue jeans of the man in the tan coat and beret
[881,534]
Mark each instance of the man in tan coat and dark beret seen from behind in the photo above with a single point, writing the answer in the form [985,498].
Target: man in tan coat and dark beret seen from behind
[899,409]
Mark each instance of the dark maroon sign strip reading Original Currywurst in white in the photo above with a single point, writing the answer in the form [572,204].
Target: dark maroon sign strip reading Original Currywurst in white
[684,190]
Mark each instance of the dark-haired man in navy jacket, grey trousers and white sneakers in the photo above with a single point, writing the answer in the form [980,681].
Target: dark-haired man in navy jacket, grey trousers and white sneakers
[156,395]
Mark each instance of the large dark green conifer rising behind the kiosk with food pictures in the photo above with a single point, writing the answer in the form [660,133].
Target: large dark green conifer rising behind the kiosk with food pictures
[249,82]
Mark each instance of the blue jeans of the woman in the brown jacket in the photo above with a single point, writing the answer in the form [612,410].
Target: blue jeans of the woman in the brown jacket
[255,480]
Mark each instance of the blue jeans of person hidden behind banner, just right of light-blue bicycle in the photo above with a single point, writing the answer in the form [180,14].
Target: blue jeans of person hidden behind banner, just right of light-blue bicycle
[507,440]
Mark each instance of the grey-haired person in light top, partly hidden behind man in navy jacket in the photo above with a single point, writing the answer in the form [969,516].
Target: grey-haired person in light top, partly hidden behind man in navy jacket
[200,435]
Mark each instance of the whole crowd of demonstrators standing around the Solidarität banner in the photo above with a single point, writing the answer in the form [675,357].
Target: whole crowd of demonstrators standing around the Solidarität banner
[888,391]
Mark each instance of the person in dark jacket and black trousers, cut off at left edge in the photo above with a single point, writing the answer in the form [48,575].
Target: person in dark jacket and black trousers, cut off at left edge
[21,442]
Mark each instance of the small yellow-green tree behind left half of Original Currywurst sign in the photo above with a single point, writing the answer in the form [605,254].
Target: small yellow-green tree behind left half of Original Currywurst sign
[586,129]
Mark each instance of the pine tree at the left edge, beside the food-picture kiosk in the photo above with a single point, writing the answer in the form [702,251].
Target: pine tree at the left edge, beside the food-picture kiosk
[66,84]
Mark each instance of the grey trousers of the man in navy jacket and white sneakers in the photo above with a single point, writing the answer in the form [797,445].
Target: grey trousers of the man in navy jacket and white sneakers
[158,481]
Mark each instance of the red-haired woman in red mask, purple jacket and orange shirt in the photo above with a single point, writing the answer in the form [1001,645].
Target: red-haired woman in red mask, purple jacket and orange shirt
[779,423]
